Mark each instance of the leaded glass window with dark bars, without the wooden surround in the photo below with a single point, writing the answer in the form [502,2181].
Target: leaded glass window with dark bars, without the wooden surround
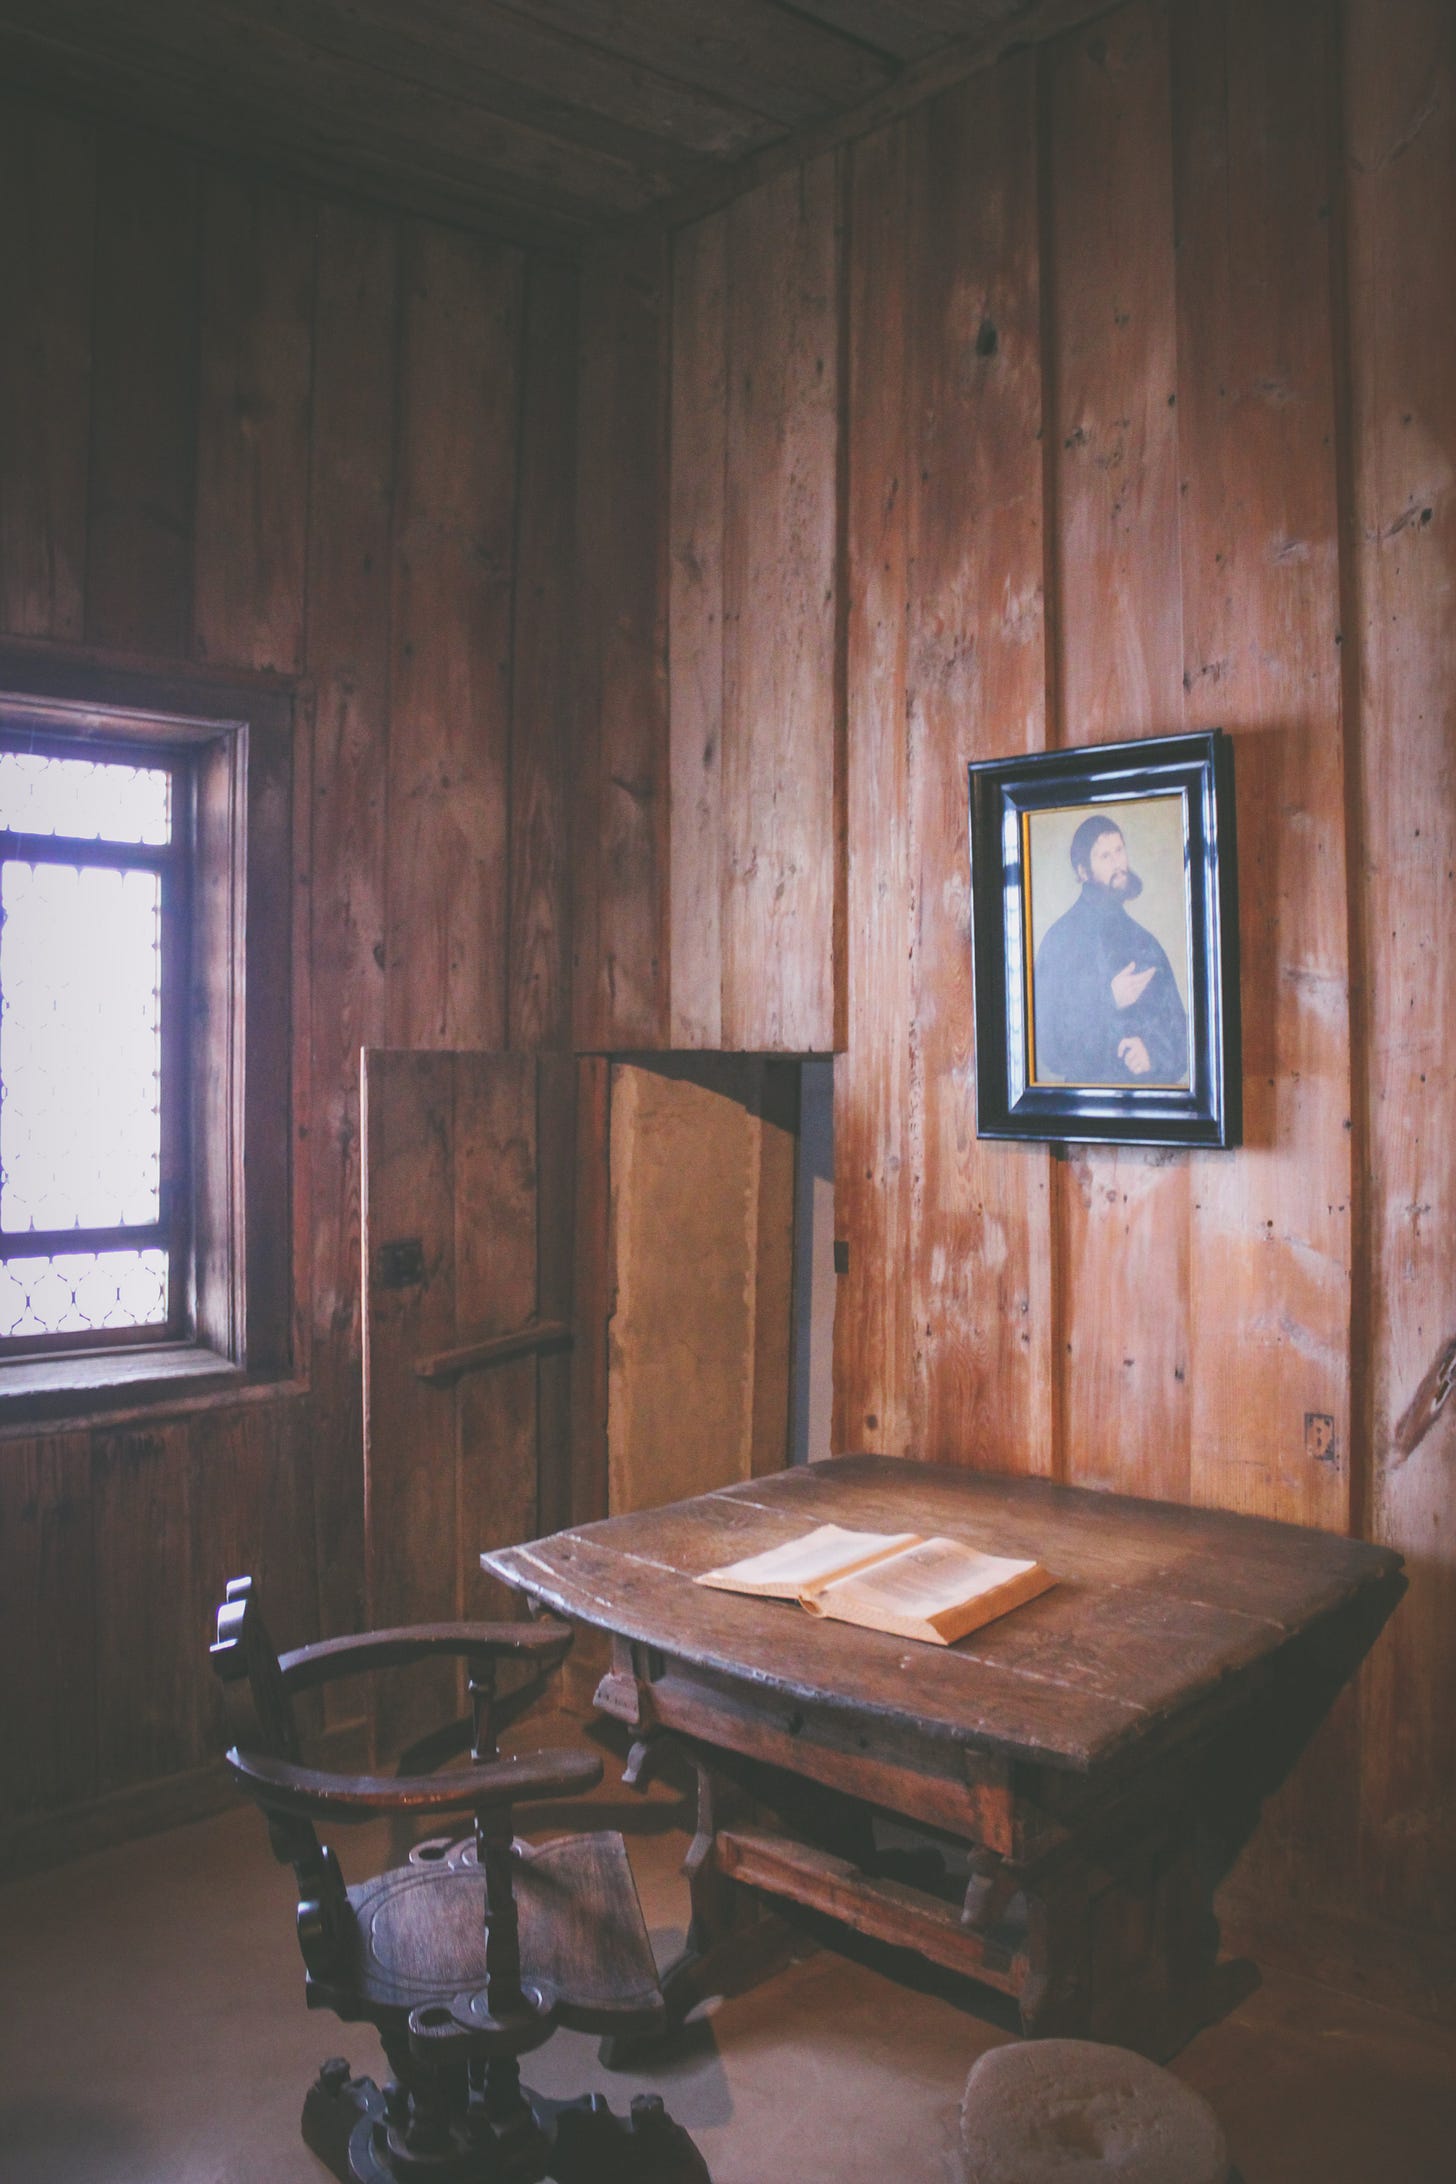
[95,1187]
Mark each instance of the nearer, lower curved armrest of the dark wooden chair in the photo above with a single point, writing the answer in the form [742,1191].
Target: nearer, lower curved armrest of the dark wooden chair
[311,1794]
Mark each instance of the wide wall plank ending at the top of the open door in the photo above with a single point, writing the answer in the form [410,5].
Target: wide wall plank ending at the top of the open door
[451,698]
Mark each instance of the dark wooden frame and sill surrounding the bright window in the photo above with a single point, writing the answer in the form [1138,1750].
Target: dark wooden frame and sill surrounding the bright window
[235,1311]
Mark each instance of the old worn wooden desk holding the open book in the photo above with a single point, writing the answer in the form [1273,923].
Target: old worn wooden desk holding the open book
[1082,1774]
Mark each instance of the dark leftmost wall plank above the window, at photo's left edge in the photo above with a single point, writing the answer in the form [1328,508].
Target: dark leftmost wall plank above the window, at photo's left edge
[47,228]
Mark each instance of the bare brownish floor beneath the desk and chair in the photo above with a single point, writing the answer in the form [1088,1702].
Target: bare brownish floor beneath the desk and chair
[156,2034]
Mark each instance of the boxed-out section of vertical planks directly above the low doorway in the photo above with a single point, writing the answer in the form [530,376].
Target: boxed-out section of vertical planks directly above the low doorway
[711,883]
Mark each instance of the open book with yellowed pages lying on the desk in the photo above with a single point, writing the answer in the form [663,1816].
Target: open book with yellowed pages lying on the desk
[887,1580]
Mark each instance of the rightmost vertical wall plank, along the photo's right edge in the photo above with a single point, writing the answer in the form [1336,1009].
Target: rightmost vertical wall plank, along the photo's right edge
[1403,294]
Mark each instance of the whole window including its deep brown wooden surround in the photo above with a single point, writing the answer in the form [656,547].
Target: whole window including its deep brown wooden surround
[145,1030]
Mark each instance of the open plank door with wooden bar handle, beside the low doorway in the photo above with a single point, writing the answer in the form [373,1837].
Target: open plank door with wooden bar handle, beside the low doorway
[468,1239]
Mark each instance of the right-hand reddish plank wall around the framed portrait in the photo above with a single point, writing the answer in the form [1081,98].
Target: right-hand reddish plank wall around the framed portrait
[1145,409]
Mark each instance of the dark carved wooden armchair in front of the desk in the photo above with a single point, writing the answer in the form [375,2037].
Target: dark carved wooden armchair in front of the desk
[477,1949]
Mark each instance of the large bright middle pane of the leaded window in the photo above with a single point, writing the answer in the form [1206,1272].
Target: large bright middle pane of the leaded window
[80,1047]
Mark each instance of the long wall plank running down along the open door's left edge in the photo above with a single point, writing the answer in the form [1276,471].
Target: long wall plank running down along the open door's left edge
[348,661]
